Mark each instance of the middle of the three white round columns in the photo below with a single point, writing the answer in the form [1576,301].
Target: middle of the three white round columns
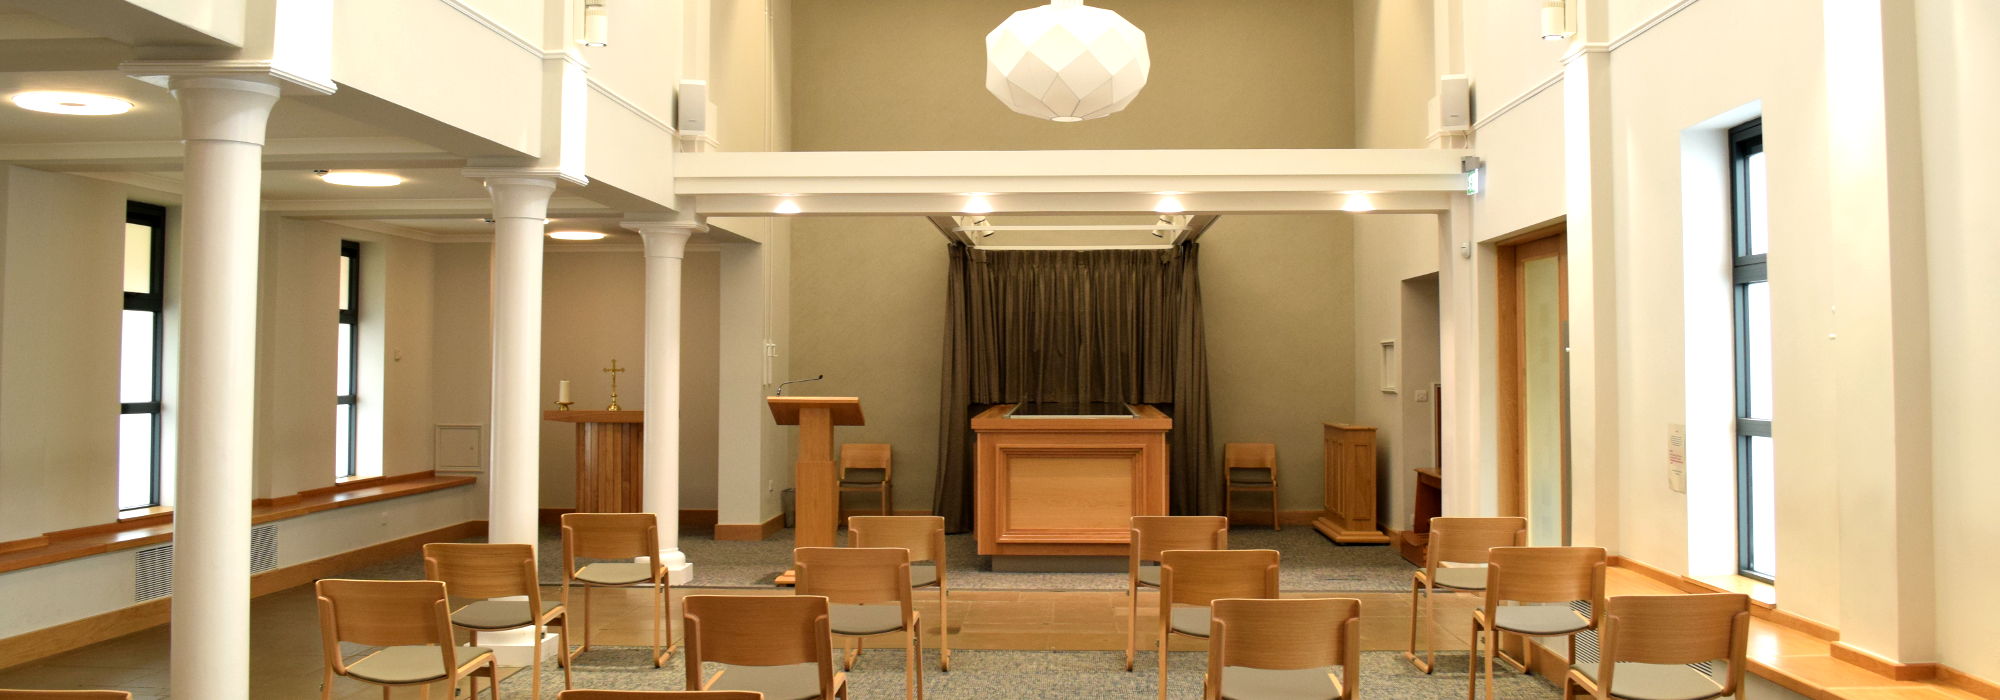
[521,207]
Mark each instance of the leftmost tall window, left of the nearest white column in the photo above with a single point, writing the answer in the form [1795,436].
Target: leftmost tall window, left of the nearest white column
[141,357]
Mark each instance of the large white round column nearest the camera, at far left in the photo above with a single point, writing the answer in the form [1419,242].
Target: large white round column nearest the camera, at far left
[223,123]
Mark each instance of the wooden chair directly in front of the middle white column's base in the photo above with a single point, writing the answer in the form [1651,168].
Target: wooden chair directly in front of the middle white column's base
[499,571]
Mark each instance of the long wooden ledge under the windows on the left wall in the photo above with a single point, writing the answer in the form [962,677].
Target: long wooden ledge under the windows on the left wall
[135,531]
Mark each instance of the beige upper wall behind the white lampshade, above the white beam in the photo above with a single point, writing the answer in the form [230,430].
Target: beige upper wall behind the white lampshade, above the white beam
[909,75]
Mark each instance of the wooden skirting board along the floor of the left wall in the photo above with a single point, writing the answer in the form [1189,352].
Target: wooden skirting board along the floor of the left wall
[53,641]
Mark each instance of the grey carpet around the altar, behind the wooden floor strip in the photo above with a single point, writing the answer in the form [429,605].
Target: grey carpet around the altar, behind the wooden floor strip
[1309,563]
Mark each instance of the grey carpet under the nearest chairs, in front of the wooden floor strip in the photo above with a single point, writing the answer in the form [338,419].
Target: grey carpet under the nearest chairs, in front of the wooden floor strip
[1037,675]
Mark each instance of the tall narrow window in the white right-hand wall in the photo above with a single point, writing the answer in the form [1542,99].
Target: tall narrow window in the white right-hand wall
[1755,477]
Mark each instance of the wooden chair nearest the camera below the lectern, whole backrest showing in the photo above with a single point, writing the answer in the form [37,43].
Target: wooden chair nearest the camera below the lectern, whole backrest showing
[765,645]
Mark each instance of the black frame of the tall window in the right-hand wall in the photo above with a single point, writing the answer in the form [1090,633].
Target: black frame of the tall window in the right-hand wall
[1747,269]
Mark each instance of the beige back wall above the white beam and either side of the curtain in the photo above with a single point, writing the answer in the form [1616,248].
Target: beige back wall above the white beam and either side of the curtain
[1277,289]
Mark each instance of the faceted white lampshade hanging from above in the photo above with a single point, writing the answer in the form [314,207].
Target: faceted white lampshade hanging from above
[1067,63]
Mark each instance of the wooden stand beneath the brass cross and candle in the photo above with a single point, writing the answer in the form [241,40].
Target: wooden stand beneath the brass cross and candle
[611,471]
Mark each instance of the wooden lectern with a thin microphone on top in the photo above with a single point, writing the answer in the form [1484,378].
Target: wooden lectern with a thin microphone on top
[813,473]
